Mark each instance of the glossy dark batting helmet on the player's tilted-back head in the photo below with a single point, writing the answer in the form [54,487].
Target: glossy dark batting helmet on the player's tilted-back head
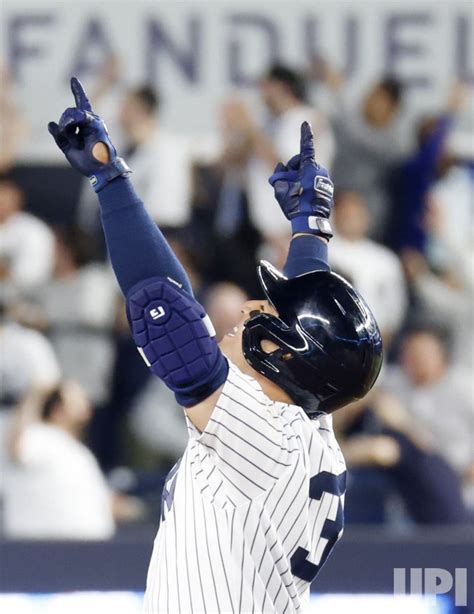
[329,345]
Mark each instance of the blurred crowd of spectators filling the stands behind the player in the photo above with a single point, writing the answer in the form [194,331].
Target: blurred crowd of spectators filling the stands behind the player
[87,436]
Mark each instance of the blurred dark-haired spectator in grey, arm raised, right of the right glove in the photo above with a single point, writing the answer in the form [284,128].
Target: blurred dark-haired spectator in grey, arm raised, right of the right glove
[368,142]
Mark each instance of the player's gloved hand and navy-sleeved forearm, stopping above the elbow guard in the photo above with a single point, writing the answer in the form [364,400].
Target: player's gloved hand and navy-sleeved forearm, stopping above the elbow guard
[137,248]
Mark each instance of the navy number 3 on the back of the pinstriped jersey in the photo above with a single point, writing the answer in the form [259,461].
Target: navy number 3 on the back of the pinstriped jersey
[321,483]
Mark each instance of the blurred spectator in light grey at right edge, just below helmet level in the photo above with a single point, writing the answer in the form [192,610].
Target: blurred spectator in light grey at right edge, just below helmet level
[437,395]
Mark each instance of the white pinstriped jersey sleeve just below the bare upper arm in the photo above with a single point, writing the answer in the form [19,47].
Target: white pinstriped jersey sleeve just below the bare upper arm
[246,439]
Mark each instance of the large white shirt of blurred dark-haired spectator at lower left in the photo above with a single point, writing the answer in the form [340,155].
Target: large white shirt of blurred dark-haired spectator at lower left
[57,490]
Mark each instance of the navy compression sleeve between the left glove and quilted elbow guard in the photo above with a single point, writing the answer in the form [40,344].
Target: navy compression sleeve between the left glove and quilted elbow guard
[137,248]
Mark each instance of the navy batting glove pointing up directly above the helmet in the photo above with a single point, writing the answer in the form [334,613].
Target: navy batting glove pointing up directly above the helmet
[304,190]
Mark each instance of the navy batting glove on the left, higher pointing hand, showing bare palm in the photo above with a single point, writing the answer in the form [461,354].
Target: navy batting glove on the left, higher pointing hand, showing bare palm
[77,133]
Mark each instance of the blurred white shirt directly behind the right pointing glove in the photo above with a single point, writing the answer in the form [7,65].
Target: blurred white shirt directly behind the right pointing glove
[285,136]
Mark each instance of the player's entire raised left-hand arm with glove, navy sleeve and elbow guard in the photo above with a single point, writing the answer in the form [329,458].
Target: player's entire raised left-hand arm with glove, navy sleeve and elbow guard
[171,329]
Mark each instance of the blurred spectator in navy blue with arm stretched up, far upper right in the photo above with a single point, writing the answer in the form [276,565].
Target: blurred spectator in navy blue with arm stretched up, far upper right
[415,176]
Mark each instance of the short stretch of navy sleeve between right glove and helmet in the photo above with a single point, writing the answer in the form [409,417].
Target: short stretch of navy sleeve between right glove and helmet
[307,253]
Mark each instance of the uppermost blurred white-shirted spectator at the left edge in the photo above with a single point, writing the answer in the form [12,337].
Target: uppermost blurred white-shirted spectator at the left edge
[26,243]
